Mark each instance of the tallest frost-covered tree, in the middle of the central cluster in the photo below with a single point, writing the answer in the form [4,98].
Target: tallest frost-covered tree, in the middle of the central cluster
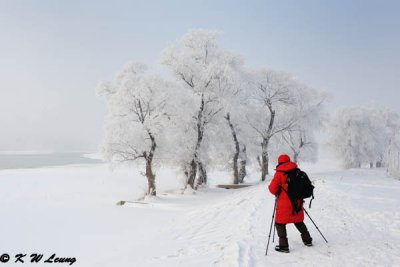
[196,61]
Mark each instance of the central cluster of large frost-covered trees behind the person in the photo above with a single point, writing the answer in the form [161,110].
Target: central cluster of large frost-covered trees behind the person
[212,110]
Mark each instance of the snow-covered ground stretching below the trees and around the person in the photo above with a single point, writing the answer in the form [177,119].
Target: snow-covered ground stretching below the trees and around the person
[72,211]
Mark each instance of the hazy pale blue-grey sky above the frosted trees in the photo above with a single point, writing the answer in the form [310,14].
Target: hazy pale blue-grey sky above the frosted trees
[53,54]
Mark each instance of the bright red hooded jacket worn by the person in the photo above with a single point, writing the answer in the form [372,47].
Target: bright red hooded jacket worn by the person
[284,210]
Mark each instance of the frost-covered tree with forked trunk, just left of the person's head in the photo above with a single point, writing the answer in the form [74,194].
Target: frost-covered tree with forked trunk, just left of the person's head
[271,101]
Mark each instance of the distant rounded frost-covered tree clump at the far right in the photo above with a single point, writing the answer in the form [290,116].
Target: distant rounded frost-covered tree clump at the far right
[361,134]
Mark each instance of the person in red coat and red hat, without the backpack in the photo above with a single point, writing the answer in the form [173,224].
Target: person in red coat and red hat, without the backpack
[284,210]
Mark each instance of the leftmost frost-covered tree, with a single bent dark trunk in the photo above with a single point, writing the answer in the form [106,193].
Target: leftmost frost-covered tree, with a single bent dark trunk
[137,115]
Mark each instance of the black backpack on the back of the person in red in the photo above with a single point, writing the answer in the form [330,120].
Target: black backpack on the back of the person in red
[299,188]
